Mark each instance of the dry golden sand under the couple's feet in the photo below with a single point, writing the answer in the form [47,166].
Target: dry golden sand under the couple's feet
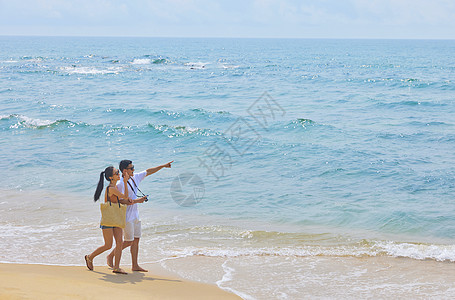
[18,281]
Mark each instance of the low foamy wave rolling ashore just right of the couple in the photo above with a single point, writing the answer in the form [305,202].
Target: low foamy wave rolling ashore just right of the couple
[235,242]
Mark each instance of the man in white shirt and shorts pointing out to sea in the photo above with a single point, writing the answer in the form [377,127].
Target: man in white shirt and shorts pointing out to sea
[132,231]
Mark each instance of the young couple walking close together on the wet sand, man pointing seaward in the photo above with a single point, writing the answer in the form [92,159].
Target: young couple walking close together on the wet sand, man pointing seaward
[117,193]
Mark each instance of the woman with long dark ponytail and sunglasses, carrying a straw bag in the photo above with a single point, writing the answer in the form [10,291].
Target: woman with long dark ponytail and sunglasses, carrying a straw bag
[112,175]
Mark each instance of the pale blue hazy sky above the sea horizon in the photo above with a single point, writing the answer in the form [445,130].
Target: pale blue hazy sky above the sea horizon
[394,19]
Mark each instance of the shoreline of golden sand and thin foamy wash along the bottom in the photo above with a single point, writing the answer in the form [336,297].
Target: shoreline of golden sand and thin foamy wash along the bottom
[249,277]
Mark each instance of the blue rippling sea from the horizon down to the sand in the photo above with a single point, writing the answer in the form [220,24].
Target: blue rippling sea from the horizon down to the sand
[304,150]
